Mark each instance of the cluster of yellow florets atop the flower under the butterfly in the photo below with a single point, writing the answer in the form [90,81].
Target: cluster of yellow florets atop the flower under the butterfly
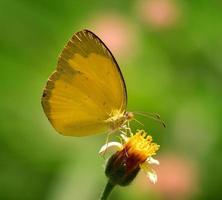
[141,145]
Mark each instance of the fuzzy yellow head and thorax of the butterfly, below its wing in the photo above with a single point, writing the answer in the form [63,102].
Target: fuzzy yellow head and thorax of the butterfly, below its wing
[119,119]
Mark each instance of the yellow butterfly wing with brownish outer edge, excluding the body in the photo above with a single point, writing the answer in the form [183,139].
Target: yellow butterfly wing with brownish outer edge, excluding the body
[85,89]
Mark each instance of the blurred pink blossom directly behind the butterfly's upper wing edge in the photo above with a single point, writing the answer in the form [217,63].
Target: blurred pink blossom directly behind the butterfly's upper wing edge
[114,29]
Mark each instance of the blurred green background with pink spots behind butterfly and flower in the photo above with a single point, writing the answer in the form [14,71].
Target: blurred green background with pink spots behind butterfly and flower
[170,54]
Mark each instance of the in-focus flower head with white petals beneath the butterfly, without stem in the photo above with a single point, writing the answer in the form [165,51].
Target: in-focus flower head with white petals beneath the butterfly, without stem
[134,154]
